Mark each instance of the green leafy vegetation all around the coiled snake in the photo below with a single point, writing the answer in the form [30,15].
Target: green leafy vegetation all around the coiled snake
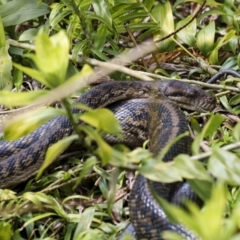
[58,43]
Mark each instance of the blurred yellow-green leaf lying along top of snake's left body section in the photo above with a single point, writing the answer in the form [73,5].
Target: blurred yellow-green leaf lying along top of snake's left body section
[24,124]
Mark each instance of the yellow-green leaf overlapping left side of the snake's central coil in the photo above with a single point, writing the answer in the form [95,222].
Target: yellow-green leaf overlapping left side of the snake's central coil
[102,119]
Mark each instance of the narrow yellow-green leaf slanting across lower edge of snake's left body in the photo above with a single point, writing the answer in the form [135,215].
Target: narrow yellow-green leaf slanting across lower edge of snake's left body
[56,150]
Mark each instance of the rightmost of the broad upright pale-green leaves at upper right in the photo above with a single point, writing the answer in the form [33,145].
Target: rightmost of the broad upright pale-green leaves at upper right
[205,38]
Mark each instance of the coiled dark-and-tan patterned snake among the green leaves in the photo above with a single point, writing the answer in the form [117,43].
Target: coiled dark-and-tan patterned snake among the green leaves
[146,110]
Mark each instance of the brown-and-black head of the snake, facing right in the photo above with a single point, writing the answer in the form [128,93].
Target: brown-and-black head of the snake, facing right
[188,96]
